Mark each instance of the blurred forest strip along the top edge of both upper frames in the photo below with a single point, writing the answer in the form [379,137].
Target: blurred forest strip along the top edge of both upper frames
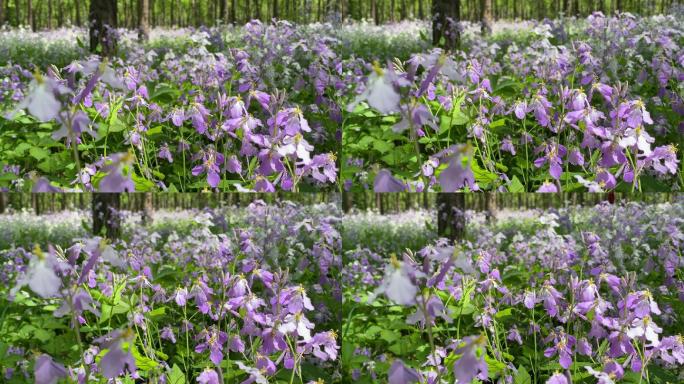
[48,14]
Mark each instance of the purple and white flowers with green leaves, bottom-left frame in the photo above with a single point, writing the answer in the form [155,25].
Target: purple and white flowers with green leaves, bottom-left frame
[238,295]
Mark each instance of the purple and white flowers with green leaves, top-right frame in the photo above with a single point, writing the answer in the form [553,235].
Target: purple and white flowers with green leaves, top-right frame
[564,105]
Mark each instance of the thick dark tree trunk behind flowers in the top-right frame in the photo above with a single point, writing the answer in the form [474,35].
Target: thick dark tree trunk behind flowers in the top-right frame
[445,18]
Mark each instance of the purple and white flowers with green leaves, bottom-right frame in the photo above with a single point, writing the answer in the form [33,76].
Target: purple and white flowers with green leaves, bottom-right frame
[578,295]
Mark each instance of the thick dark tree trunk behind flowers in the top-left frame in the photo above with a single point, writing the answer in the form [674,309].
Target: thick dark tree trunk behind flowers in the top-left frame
[102,18]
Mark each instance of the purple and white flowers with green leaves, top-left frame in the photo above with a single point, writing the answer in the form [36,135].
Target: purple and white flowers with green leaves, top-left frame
[187,115]
